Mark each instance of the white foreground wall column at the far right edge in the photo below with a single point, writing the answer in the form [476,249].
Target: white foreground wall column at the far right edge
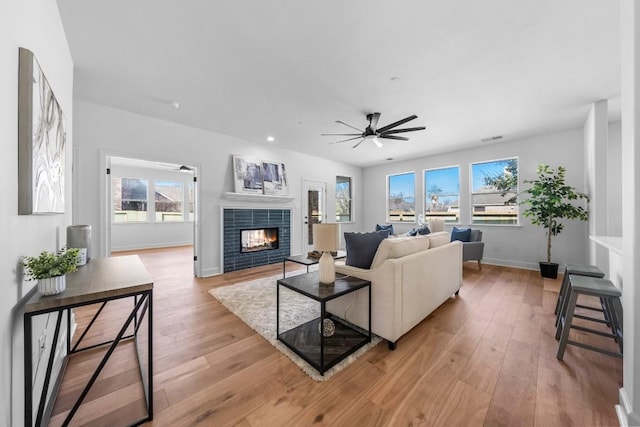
[629,409]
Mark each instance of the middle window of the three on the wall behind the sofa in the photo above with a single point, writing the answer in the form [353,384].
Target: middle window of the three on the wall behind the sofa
[442,194]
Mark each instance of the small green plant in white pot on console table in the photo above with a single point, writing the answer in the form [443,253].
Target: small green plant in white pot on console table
[49,269]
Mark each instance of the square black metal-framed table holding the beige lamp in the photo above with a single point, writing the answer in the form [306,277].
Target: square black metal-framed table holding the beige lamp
[320,351]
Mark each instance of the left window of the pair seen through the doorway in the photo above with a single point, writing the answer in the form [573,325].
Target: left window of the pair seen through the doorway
[129,199]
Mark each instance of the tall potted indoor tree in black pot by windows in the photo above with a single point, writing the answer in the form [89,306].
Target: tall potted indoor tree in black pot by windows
[550,201]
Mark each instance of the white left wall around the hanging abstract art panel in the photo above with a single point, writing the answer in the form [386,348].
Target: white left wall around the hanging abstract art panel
[35,25]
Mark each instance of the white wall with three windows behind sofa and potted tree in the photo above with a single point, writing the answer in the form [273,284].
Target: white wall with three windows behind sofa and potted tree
[519,246]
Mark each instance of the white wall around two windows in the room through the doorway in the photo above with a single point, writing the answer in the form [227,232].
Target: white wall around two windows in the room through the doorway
[128,236]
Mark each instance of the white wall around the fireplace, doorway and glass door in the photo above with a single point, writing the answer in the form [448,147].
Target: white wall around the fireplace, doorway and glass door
[101,130]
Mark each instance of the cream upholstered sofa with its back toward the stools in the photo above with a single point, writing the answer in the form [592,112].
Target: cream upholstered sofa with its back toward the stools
[410,277]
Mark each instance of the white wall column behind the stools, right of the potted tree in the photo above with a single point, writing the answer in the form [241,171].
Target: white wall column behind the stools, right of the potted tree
[596,135]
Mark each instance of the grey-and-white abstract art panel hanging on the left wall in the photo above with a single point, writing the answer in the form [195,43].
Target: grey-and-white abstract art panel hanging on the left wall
[41,142]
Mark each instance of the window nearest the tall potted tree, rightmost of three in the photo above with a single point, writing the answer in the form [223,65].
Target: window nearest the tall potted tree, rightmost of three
[494,189]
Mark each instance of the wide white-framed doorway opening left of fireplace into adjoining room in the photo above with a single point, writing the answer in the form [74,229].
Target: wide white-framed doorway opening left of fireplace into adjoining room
[149,204]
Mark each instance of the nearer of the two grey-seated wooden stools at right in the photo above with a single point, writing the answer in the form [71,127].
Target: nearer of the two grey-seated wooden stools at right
[610,297]
